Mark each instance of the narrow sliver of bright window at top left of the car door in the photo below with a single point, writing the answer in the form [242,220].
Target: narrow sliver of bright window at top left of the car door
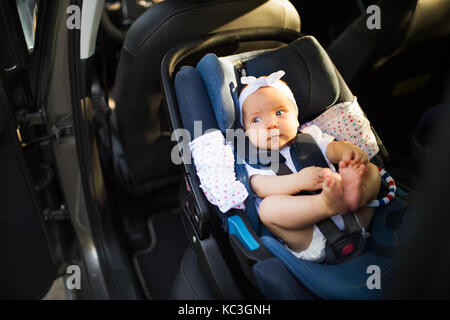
[28,13]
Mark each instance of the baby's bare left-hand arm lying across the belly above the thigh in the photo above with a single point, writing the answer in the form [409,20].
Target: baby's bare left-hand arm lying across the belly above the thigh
[307,179]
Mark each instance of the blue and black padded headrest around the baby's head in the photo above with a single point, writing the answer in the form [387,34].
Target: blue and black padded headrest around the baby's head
[310,74]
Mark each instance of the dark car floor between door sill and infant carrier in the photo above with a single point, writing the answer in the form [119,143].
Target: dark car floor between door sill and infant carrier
[155,238]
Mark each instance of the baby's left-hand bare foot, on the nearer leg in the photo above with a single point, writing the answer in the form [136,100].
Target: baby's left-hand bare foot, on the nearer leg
[333,193]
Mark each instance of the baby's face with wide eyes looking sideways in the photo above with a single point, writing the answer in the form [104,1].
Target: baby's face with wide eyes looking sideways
[270,118]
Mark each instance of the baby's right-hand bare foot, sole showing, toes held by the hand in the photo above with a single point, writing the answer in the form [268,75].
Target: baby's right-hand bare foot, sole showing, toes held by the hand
[351,182]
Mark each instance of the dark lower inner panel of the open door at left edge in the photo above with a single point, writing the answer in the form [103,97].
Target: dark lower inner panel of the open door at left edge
[26,260]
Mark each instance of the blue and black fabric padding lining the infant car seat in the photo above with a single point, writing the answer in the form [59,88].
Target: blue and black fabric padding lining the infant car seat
[209,94]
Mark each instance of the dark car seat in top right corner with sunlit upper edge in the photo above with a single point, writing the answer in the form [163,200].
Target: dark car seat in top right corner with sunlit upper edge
[403,24]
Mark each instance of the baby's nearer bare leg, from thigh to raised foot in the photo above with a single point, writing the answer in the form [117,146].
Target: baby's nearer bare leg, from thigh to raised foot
[291,218]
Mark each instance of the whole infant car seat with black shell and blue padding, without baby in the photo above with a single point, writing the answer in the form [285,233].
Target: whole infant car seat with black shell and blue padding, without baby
[208,93]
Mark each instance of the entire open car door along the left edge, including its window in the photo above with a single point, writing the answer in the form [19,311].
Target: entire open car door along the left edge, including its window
[28,263]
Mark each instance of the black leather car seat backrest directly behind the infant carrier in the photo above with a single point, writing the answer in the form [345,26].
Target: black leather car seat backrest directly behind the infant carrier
[142,126]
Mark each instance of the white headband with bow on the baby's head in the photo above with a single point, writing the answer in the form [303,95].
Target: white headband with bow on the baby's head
[253,84]
